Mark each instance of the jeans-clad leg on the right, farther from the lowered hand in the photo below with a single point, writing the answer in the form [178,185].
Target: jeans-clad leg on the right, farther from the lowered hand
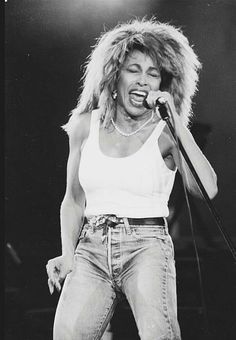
[150,288]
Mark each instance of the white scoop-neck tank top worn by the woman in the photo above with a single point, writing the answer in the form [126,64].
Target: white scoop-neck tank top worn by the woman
[135,186]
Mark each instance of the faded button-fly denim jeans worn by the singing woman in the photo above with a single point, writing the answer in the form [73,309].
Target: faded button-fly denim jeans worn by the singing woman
[137,261]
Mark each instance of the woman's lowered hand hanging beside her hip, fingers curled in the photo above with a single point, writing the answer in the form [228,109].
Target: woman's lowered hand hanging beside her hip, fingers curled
[57,270]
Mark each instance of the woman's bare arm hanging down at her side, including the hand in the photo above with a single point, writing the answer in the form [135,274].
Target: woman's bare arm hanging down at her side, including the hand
[72,208]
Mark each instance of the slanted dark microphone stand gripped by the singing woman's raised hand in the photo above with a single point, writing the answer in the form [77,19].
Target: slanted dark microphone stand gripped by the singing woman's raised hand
[165,116]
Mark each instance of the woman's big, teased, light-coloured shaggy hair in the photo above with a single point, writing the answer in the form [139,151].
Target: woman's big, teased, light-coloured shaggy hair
[166,44]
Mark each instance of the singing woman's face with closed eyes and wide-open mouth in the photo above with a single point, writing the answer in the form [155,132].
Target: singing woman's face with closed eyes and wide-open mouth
[138,75]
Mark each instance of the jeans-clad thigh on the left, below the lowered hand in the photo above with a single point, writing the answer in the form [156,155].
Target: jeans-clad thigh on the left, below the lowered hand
[86,303]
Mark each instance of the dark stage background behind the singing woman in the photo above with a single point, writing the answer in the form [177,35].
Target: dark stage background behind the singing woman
[46,44]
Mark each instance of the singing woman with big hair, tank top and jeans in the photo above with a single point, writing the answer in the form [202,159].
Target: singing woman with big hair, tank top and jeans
[121,168]
